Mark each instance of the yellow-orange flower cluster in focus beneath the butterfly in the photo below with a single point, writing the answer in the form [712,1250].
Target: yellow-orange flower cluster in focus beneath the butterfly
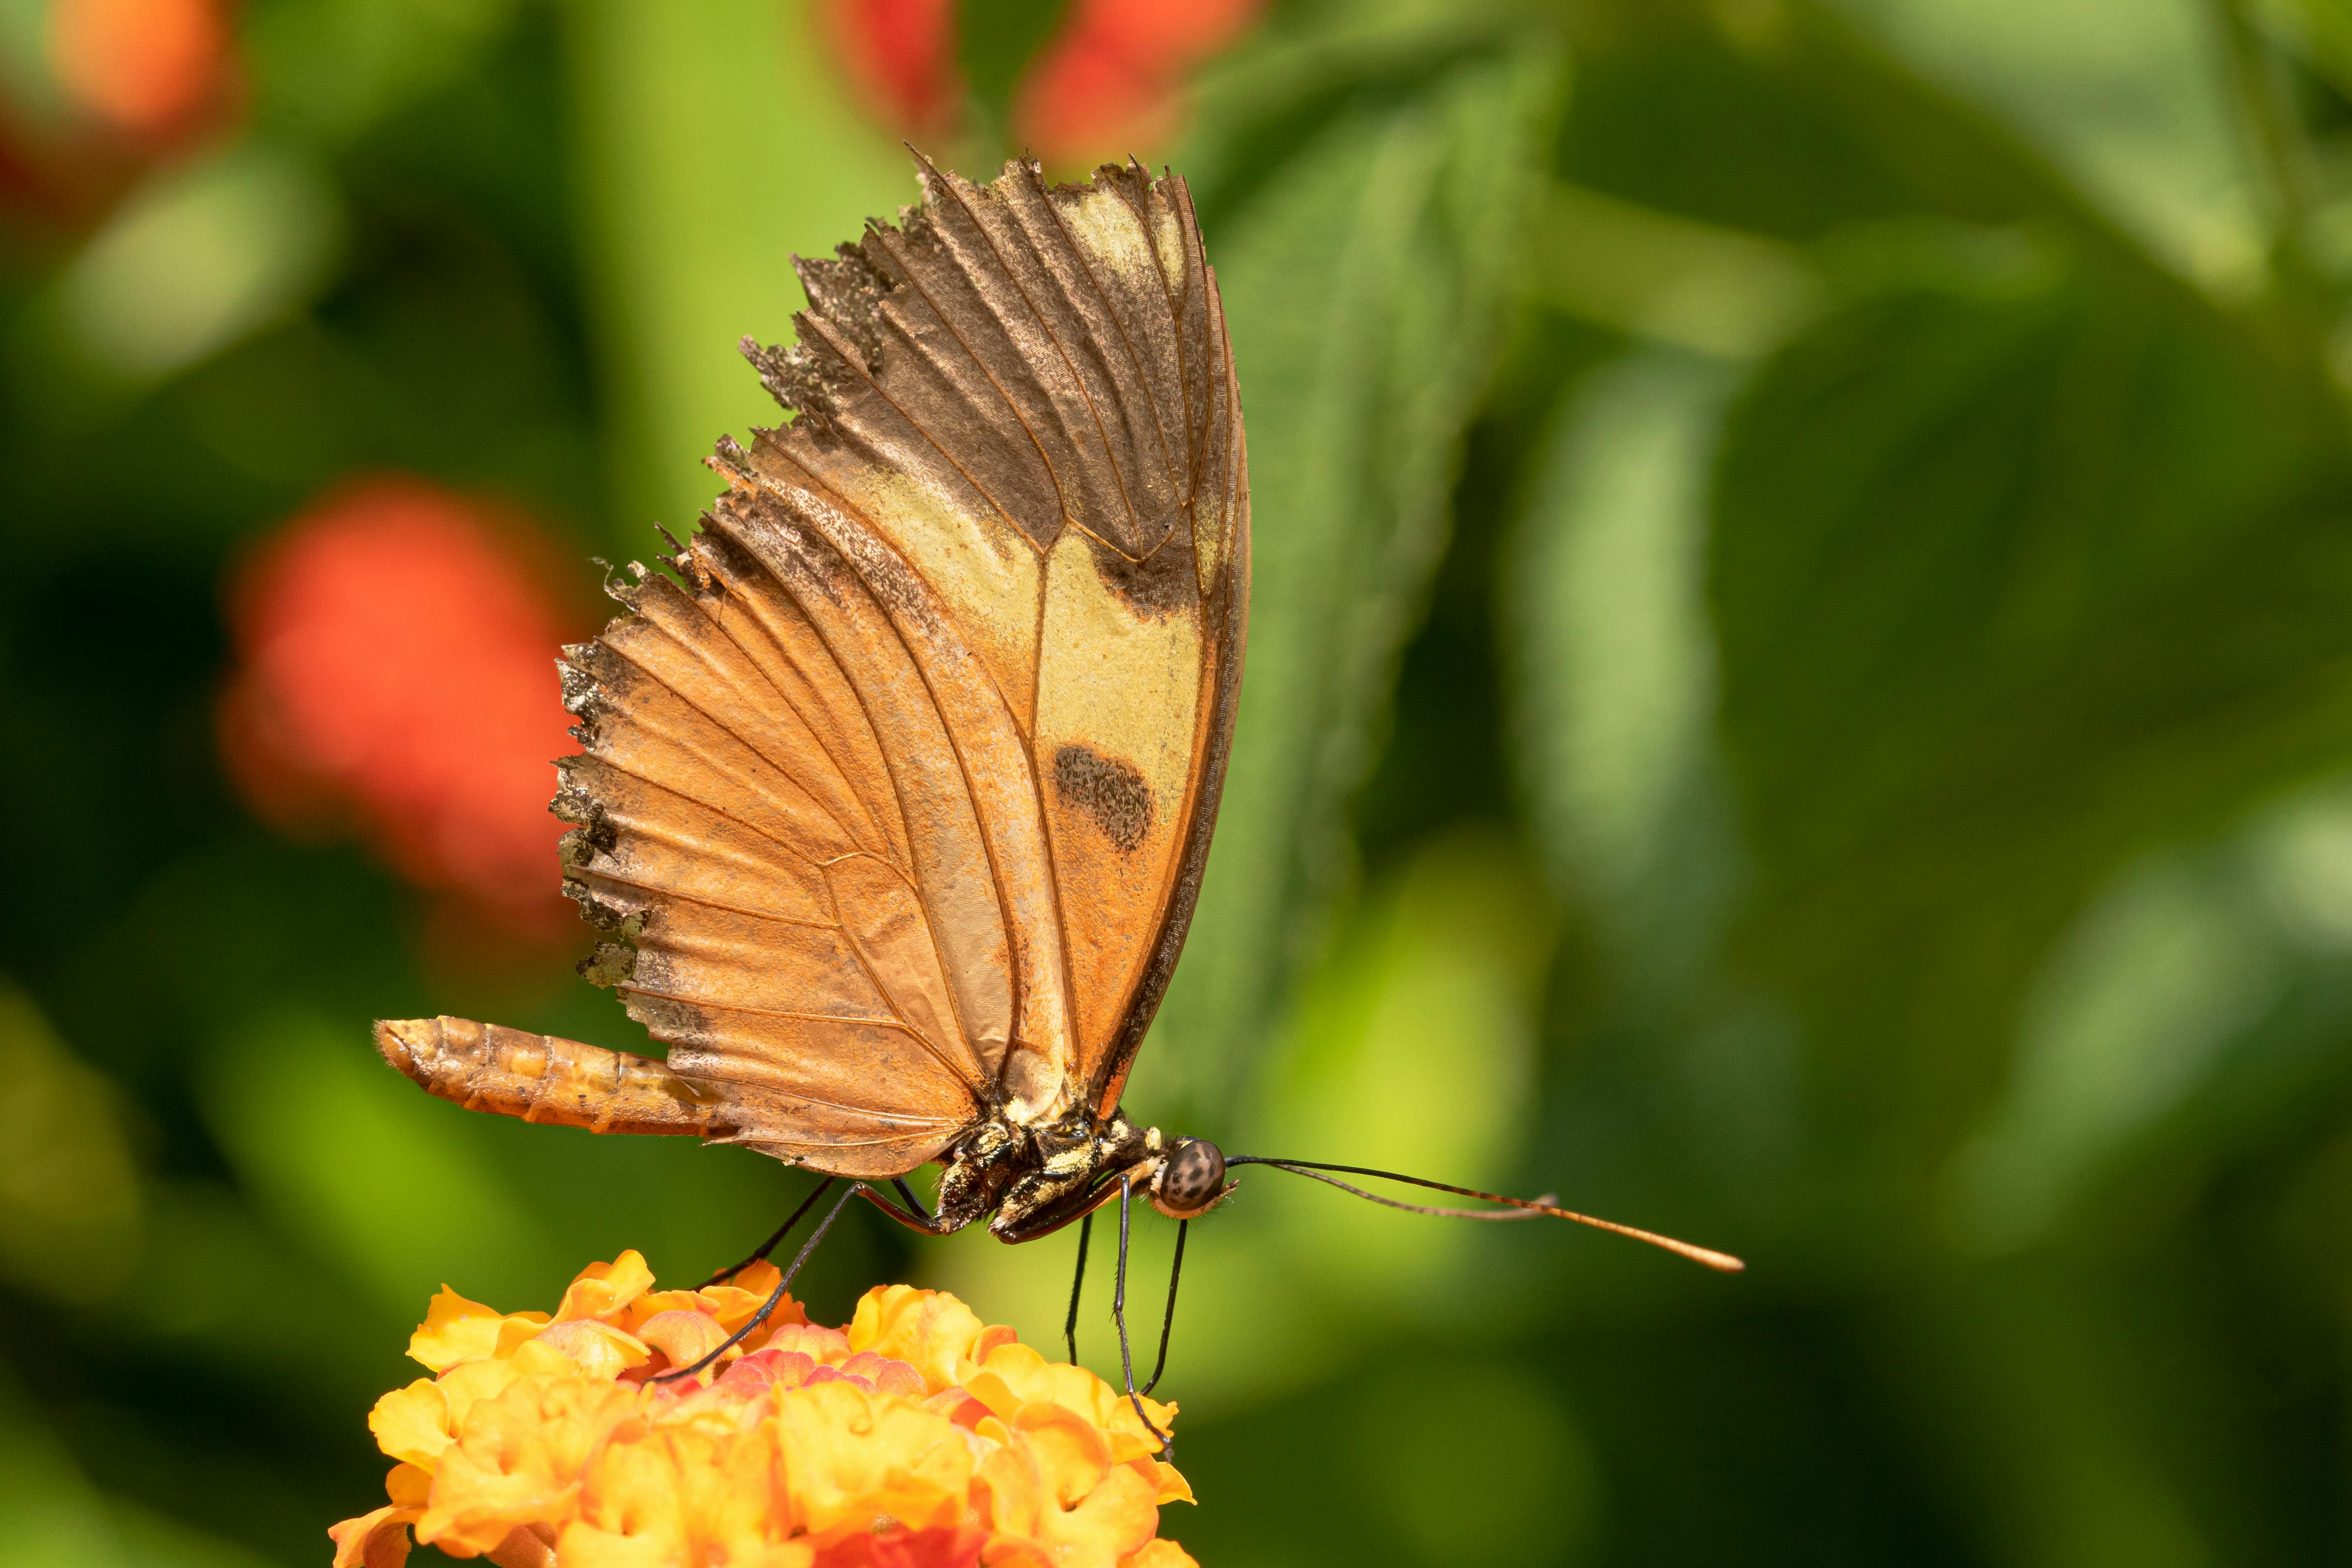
[914,1438]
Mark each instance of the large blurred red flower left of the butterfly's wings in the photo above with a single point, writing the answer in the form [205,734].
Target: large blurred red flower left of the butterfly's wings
[396,671]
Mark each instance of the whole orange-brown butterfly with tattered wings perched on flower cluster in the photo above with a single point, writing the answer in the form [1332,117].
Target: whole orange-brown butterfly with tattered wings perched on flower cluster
[895,791]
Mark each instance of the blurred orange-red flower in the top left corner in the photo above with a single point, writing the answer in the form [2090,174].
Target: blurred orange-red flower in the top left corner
[152,69]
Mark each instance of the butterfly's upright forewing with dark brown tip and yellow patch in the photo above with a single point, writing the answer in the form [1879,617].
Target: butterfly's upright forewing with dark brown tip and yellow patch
[1027,394]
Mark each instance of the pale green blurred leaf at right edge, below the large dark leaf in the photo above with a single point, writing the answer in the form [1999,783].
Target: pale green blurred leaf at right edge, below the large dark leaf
[2200,993]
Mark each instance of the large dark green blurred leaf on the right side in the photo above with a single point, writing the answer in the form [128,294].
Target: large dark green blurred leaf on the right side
[1958,540]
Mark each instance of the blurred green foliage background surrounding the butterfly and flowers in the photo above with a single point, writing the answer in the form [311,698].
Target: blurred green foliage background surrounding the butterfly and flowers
[1800,695]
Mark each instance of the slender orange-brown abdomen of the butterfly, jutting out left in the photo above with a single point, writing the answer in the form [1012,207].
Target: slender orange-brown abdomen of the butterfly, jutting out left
[542,1078]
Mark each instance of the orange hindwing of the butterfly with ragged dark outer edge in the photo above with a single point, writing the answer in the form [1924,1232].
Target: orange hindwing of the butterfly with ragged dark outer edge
[761,873]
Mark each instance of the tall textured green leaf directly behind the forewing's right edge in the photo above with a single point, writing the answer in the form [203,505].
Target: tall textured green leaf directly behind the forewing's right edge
[1365,283]
